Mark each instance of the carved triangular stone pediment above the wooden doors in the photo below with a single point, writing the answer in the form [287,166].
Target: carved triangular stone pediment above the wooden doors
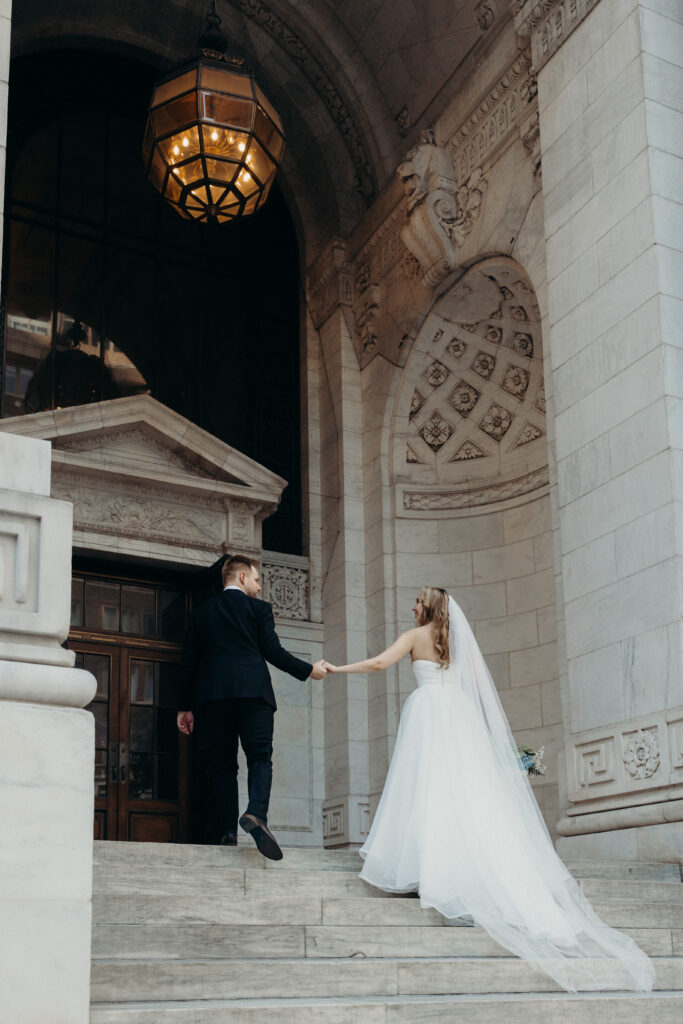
[146,482]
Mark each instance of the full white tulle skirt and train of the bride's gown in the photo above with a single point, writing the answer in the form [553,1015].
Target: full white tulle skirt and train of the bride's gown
[446,829]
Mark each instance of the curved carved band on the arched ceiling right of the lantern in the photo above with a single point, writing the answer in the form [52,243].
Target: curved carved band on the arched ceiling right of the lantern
[300,53]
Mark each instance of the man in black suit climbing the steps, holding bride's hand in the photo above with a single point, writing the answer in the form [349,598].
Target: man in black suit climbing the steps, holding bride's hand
[229,697]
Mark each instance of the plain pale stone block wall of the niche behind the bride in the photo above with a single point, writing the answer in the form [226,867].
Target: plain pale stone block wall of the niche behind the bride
[499,568]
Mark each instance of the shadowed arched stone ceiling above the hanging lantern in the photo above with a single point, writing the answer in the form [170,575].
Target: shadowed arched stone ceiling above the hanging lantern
[353,78]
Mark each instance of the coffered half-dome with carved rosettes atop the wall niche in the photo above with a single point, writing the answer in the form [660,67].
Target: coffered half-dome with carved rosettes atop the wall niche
[469,420]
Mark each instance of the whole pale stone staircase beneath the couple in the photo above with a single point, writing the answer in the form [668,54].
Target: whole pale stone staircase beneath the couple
[209,935]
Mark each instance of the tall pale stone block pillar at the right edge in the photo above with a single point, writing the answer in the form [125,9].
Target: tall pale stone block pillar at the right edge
[611,89]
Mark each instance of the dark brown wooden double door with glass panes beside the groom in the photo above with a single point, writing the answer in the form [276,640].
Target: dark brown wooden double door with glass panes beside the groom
[142,761]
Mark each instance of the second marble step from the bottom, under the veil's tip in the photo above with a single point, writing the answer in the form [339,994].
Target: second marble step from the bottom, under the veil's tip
[126,980]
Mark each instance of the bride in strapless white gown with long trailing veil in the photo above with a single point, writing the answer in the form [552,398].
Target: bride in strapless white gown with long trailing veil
[458,822]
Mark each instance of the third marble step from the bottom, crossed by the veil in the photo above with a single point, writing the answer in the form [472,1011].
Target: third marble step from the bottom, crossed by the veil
[240,942]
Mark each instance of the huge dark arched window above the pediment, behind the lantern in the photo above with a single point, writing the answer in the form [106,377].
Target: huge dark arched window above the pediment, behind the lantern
[110,293]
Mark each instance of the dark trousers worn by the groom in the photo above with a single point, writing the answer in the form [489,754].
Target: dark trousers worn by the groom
[223,724]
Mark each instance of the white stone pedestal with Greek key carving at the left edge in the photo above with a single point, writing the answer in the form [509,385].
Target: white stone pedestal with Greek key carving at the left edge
[47,754]
